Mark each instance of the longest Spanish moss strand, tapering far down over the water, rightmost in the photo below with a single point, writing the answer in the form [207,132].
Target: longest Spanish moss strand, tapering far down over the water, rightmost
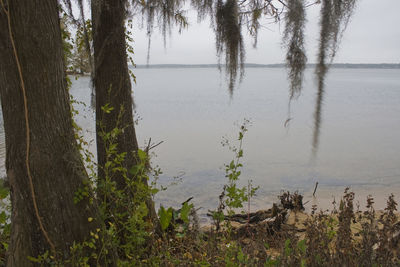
[335,15]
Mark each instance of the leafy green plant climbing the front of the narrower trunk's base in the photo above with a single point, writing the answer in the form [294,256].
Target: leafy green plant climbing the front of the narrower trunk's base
[124,209]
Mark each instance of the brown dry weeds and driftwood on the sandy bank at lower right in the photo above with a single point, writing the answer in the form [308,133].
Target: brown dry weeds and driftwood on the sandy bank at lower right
[285,235]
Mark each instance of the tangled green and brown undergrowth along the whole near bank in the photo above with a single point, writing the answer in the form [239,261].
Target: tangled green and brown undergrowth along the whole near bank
[128,236]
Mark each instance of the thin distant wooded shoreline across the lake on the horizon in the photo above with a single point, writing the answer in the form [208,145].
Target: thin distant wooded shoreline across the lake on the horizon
[281,65]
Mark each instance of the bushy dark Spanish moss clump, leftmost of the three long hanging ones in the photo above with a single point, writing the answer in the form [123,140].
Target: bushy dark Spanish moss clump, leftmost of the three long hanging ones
[229,39]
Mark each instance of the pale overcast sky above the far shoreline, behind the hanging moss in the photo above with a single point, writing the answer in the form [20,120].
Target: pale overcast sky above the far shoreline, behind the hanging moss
[373,36]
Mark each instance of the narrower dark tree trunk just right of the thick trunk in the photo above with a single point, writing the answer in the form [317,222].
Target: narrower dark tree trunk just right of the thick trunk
[113,86]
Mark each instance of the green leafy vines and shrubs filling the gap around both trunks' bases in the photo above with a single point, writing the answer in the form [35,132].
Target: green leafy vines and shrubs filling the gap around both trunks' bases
[124,222]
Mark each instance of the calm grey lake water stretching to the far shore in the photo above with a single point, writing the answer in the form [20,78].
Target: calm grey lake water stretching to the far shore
[190,110]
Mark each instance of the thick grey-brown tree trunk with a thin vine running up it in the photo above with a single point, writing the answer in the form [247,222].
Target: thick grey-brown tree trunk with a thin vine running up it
[54,161]
